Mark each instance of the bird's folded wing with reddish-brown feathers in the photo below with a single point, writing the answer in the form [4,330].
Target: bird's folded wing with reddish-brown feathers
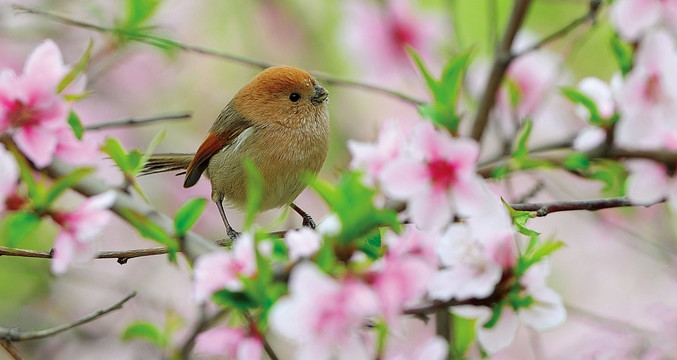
[219,137]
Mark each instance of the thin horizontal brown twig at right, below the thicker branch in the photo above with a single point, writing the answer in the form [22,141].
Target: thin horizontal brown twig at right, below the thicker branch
[545,208]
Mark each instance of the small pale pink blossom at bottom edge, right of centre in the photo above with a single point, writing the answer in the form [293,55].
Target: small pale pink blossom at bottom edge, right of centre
[415,341]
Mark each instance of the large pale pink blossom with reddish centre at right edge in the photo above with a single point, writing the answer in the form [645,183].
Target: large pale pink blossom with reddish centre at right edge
[648,98]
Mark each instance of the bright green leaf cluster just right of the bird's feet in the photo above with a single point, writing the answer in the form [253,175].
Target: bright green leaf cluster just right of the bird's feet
[353,203]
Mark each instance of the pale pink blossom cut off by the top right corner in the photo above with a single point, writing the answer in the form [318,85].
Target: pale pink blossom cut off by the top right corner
[632,18]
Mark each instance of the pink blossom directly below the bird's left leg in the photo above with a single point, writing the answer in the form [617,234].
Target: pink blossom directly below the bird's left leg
[222,270]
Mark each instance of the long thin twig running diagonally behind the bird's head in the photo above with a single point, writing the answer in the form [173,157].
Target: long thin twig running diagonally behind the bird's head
[213,53]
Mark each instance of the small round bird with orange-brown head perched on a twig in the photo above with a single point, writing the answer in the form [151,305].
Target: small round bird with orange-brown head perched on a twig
[280,121]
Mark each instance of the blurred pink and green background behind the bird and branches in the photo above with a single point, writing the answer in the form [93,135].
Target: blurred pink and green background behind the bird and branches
[616,274]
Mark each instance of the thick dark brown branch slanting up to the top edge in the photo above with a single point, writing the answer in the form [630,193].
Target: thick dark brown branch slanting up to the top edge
[501,62]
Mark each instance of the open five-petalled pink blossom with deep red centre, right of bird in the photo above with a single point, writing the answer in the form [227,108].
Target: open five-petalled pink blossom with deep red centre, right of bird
[436,176]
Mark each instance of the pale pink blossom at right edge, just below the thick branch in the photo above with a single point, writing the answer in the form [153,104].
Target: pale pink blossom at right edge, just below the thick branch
[649,182]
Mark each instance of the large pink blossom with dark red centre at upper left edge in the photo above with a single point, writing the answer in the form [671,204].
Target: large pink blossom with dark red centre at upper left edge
[30,106]
